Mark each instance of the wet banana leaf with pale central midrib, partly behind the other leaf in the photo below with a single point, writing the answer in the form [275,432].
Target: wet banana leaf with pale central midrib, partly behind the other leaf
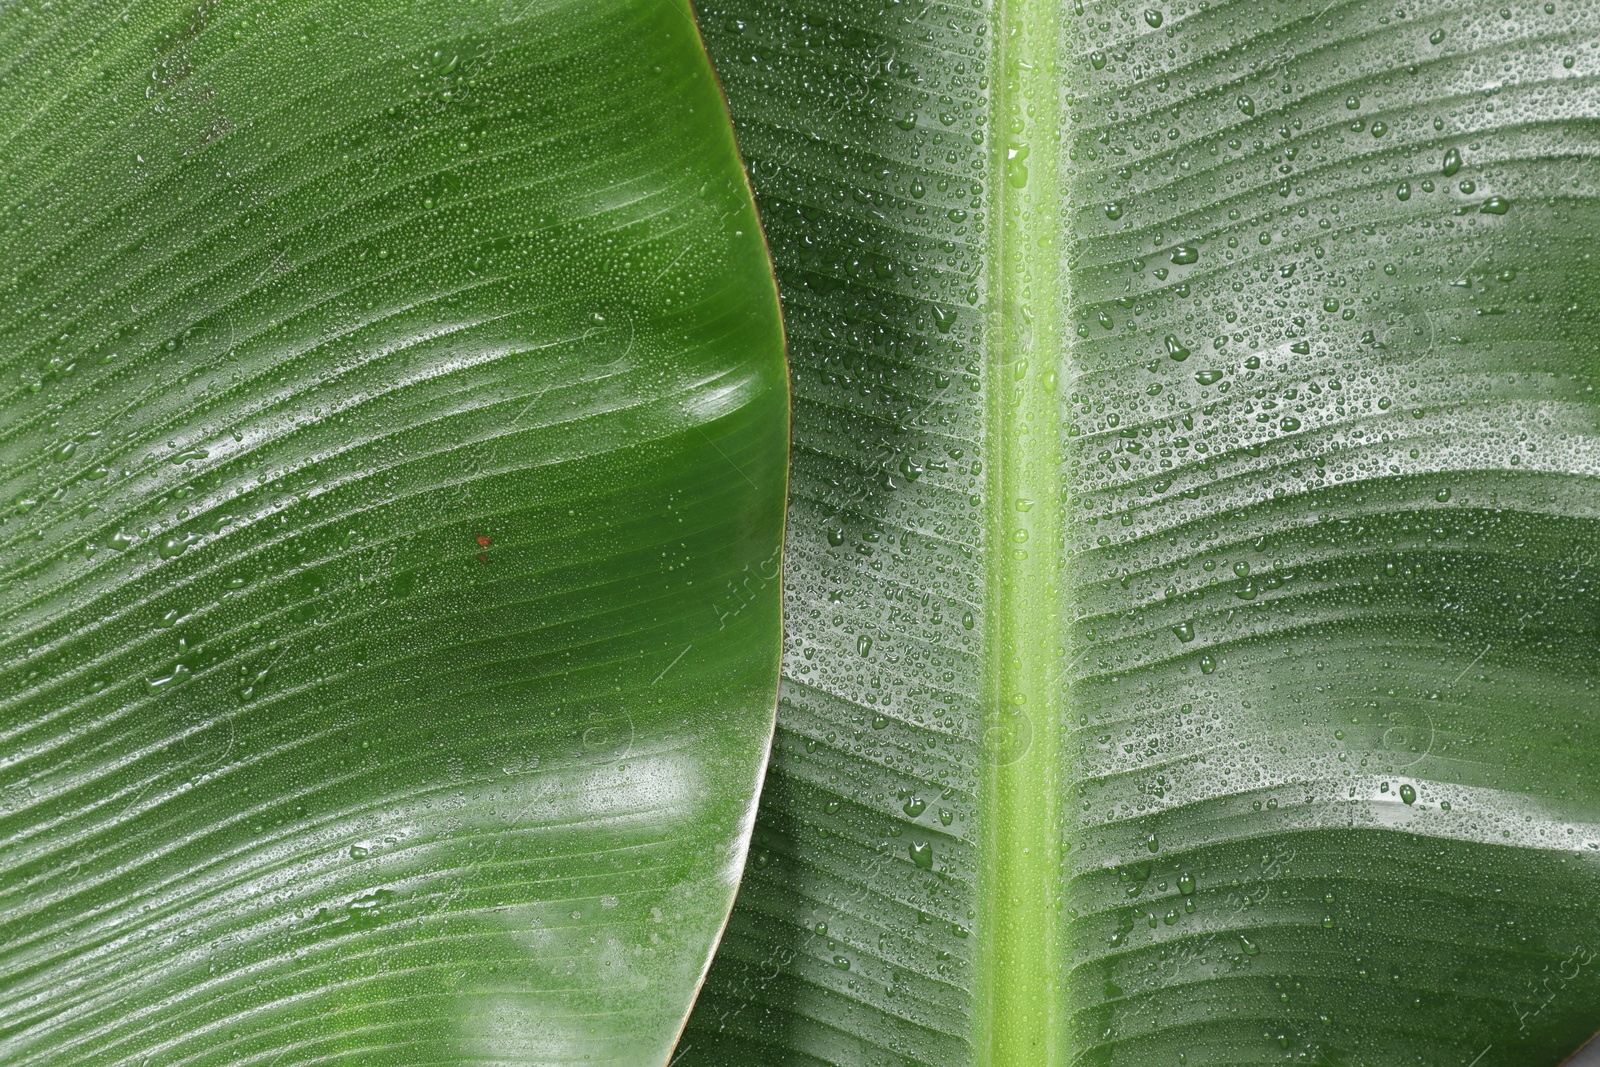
[1193,596]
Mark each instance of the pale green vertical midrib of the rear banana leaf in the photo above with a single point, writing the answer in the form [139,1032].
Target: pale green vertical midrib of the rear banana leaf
[1020,1020]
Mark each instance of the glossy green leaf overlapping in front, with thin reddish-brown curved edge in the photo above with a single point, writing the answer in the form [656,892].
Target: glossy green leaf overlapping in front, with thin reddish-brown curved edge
[393,457]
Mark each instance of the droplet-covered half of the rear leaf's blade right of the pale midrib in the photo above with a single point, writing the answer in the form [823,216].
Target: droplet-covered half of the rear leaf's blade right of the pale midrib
[1332,508]
